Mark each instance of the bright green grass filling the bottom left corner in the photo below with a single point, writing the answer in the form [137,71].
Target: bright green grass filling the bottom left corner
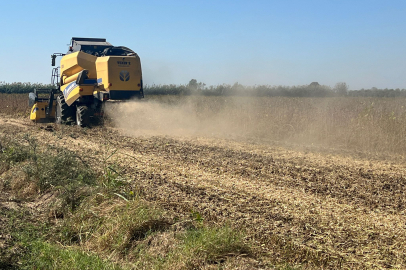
[28,249]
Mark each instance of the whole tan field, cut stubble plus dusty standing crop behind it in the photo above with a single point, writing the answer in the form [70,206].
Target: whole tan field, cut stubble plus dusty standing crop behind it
[321,189]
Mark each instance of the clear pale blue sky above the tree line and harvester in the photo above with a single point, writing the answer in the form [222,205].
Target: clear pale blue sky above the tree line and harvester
[291,42]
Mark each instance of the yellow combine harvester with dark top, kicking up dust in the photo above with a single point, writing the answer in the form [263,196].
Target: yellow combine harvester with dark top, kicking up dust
[91,72]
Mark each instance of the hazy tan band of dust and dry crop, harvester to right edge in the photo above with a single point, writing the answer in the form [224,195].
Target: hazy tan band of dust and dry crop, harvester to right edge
[373,125]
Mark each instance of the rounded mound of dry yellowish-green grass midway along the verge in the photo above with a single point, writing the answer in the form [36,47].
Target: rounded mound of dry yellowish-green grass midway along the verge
[108,223]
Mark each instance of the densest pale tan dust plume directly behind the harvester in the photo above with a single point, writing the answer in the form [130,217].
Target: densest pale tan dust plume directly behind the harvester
[184,116]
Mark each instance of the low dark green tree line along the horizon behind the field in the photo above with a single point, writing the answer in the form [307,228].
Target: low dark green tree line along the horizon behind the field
[198,88]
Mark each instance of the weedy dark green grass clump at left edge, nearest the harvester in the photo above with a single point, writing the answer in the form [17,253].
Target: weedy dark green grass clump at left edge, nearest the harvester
[45,168]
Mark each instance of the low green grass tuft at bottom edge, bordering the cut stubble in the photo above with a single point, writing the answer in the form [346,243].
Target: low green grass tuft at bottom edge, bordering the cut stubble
[190,249]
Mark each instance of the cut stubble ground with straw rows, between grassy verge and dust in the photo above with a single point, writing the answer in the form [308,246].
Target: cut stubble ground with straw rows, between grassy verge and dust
[301,204]
